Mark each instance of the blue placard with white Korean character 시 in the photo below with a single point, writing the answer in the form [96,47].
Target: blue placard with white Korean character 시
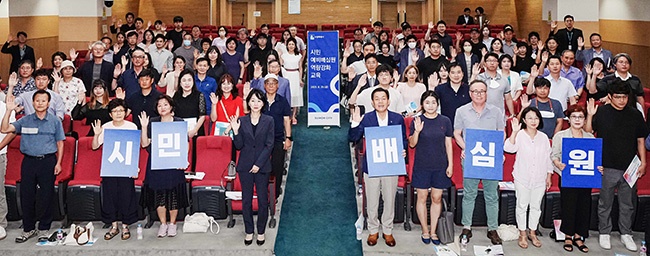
[121,153]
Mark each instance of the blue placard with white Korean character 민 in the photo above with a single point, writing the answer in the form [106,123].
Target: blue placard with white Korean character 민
[169,145]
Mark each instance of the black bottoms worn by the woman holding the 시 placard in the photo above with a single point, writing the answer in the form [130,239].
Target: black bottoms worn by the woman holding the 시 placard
[118,200]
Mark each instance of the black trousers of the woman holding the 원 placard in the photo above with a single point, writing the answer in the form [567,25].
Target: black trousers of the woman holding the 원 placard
[576,209]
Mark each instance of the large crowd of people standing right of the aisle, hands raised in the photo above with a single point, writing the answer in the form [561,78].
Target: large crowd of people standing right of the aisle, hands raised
[487,83]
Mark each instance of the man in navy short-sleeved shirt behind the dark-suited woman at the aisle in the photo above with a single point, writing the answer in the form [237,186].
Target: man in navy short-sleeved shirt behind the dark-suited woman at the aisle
[279,109]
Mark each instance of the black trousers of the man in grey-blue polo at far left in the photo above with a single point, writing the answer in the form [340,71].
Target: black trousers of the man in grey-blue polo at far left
[37,181]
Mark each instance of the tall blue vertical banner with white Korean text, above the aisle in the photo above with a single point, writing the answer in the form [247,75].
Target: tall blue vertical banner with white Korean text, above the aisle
[323,78]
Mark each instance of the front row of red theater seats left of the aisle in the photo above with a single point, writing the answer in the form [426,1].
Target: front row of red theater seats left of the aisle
[78,186]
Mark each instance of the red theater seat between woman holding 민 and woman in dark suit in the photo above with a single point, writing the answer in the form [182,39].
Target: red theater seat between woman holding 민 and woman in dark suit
[213,155]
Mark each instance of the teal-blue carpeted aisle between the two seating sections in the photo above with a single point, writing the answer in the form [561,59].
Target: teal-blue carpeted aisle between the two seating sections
[319,208]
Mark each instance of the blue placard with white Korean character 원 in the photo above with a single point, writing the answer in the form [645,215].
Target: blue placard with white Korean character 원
[582,157]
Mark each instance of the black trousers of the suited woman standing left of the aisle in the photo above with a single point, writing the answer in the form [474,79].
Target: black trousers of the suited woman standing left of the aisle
[261,183]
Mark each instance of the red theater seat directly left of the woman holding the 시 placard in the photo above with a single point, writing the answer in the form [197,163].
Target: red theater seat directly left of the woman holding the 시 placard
[84,190]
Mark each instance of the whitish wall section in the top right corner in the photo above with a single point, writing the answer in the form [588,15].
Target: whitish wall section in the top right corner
[625,10]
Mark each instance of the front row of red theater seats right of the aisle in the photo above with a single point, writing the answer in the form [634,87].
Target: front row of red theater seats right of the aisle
[551,208]
